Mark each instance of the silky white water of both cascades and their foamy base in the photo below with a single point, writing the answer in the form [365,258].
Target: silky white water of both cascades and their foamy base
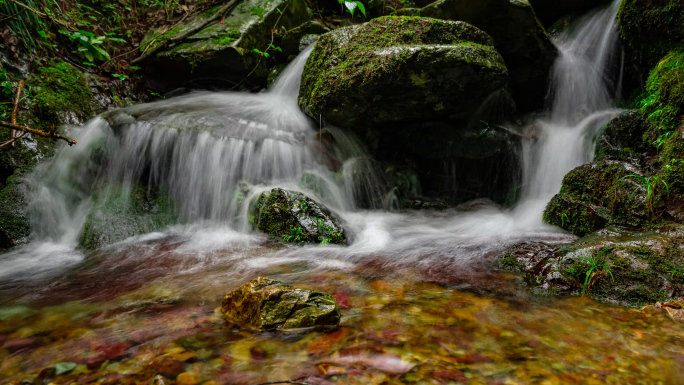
[202,148]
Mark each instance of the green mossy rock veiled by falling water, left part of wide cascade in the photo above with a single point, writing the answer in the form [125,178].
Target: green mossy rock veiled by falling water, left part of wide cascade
[118,213]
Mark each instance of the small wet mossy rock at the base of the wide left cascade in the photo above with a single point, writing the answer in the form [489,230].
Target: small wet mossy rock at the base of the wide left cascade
[295,218]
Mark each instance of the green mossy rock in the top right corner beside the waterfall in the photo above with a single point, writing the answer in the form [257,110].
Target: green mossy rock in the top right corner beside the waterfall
[649,29]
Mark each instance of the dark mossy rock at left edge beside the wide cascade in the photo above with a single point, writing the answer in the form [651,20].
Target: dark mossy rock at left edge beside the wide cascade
[15,227]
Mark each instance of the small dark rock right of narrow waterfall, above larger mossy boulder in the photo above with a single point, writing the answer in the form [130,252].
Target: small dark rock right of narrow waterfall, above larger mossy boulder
[622,138]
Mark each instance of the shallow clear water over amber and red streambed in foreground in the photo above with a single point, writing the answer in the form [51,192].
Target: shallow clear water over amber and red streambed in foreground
[151,307]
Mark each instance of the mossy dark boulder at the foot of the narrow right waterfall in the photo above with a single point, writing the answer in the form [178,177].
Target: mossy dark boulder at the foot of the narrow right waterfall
[595,195]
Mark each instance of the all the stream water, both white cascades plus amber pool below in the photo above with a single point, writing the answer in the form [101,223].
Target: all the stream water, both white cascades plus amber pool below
[156,290]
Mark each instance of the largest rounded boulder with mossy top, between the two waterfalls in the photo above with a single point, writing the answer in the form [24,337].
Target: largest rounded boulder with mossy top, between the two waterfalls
[398,69]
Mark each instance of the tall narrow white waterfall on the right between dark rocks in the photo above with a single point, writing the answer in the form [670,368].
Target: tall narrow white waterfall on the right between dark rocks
[582,88]
